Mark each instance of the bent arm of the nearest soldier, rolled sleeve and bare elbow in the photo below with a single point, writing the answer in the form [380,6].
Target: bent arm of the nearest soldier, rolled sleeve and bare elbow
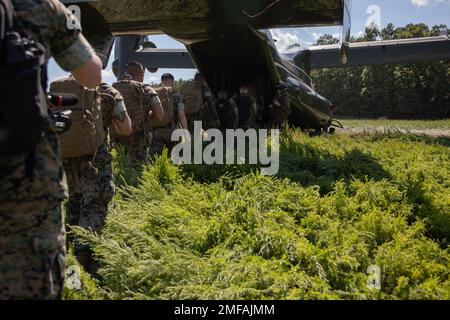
[71,50]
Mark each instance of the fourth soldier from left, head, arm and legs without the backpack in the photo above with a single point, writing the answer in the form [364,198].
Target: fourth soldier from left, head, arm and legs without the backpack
[161,137]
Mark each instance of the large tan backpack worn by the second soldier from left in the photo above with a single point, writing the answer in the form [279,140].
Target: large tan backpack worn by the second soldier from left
[87,133]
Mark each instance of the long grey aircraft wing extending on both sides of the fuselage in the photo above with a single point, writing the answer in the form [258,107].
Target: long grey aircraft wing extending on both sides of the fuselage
[360,54]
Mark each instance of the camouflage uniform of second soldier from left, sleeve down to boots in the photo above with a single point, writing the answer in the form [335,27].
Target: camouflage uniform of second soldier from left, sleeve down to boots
[89,178]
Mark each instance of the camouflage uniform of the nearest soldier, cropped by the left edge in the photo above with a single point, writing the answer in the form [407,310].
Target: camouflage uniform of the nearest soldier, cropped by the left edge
[32,233]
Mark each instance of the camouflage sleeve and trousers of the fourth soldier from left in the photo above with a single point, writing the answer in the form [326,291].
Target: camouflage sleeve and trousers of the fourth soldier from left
[162,137]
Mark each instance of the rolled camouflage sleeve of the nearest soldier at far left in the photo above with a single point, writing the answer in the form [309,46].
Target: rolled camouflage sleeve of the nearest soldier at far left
[69,48]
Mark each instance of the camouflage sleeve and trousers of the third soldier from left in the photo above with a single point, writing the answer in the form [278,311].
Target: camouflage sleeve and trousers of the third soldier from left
[137,144]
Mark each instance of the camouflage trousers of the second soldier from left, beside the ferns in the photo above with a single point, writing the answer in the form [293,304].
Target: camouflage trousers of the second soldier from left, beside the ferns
[91,189]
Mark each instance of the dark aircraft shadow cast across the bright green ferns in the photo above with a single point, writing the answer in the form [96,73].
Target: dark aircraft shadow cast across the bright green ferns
[301,163]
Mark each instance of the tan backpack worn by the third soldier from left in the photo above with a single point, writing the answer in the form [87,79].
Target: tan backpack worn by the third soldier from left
[132,94]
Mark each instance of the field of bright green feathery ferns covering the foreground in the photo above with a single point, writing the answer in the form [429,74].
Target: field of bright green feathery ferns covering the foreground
[339,205]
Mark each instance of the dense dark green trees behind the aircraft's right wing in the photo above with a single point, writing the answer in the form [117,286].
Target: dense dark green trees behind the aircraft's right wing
[408,91]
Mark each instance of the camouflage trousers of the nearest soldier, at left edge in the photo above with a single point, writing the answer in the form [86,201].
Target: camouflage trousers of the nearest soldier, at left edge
[32,233]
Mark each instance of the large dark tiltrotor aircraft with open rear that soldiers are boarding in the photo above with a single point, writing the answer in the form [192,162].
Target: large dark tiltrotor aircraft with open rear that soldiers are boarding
[229,41]
